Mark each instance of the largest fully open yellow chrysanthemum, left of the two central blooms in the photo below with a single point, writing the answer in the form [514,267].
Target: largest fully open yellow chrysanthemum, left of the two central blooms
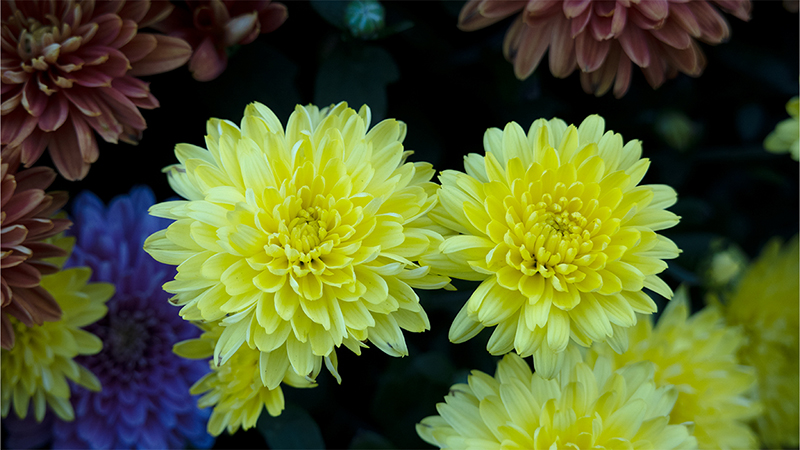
[304,238]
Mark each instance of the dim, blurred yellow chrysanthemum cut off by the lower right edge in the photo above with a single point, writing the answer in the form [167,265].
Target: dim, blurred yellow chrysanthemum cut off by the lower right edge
[765,305]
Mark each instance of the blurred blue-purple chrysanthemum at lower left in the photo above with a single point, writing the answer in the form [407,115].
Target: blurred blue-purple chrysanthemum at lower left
[145,400]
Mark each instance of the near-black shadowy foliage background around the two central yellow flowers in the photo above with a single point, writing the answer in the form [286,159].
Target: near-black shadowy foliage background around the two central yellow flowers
[449,86]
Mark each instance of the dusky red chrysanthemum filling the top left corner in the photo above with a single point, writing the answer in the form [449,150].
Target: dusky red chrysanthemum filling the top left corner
[69,70]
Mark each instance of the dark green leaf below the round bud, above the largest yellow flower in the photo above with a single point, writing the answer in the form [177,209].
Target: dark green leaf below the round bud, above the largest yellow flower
[358,75]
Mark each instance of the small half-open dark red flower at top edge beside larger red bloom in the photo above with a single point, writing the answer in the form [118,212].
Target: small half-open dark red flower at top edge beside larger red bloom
[211,26]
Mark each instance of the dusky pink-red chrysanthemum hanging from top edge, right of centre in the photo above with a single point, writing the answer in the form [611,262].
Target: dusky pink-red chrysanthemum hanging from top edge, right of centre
[604,38]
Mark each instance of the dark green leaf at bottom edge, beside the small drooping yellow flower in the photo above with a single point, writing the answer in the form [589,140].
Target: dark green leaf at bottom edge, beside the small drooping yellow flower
[293,429]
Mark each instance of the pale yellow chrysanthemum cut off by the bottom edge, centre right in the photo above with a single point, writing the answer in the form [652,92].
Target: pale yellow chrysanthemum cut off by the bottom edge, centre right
[588,406]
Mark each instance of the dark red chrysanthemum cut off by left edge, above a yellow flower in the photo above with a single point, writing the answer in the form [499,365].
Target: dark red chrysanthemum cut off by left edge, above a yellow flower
[26,222]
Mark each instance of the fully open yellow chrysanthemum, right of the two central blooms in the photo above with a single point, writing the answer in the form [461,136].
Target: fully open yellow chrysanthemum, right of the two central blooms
[564,239]
